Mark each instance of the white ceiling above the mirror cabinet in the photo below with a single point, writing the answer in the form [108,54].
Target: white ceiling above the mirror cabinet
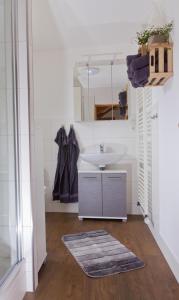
[59,24]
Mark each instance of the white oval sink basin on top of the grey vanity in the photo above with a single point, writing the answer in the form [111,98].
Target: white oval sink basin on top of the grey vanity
[101,159]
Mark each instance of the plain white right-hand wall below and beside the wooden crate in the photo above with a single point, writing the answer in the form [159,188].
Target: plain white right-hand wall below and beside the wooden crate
[168,102]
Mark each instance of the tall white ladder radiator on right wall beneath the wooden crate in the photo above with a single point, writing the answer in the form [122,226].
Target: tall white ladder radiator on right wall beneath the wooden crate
[144,142]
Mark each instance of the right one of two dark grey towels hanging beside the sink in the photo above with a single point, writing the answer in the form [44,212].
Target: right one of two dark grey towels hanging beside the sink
[73,154]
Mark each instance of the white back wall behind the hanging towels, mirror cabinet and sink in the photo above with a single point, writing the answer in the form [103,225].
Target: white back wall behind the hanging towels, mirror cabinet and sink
[53,105]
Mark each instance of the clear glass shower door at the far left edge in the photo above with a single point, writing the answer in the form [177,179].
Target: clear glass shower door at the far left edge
[9,199]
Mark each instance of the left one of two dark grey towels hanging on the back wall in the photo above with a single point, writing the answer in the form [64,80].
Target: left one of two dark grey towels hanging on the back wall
[61,184]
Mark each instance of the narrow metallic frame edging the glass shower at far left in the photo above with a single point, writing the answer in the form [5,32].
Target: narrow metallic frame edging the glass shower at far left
[15,116]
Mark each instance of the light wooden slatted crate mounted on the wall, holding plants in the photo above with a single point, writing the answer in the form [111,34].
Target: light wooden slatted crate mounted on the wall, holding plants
[160,63]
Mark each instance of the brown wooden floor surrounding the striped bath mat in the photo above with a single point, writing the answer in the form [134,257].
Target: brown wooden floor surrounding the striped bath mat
[62,279]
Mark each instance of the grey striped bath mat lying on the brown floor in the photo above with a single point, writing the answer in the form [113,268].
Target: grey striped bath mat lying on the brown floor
[99,254]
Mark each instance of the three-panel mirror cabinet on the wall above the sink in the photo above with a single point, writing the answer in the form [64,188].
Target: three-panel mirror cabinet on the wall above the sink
[100,88]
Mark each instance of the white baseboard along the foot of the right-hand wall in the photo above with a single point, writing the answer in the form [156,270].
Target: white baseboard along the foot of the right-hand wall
[170,258]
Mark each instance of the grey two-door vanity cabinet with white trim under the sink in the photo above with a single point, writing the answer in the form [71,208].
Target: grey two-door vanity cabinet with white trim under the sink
[102,194]
